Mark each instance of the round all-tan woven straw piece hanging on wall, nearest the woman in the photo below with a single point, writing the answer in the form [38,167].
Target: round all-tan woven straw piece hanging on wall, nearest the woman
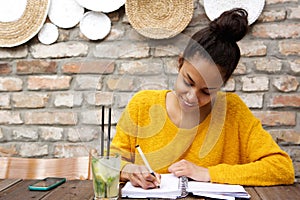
[159,19]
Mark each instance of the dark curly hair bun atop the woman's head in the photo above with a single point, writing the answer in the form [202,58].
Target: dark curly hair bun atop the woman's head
[231,25]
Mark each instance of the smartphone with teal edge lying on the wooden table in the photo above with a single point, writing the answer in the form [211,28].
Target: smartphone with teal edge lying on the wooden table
[47,183]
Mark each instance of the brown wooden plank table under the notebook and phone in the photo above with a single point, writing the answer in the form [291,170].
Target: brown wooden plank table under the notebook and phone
[82,190]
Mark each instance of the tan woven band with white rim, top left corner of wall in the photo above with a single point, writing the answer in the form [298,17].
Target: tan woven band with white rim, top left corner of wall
[13,33]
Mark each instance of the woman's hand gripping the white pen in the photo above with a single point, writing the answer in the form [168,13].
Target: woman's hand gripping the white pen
[139,176]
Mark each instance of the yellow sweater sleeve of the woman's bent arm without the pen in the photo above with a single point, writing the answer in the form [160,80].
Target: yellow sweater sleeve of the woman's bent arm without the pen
[263,163]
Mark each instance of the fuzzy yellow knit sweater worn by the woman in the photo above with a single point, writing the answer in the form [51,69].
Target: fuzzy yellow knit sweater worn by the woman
[230,142]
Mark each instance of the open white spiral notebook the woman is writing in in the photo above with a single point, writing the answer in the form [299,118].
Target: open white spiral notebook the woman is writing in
[172,187]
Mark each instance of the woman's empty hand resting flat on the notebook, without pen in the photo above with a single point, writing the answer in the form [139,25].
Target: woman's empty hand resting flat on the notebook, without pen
[186,168]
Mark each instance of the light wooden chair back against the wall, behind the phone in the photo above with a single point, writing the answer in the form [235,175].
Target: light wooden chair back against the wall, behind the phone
[39,168]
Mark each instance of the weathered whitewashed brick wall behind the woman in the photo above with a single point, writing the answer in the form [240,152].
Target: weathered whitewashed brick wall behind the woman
[51,95]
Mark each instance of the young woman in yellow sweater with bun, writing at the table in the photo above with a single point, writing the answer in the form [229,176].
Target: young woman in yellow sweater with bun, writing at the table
[196,130]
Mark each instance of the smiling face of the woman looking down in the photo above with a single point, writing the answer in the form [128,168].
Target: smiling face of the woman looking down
[197,83]
